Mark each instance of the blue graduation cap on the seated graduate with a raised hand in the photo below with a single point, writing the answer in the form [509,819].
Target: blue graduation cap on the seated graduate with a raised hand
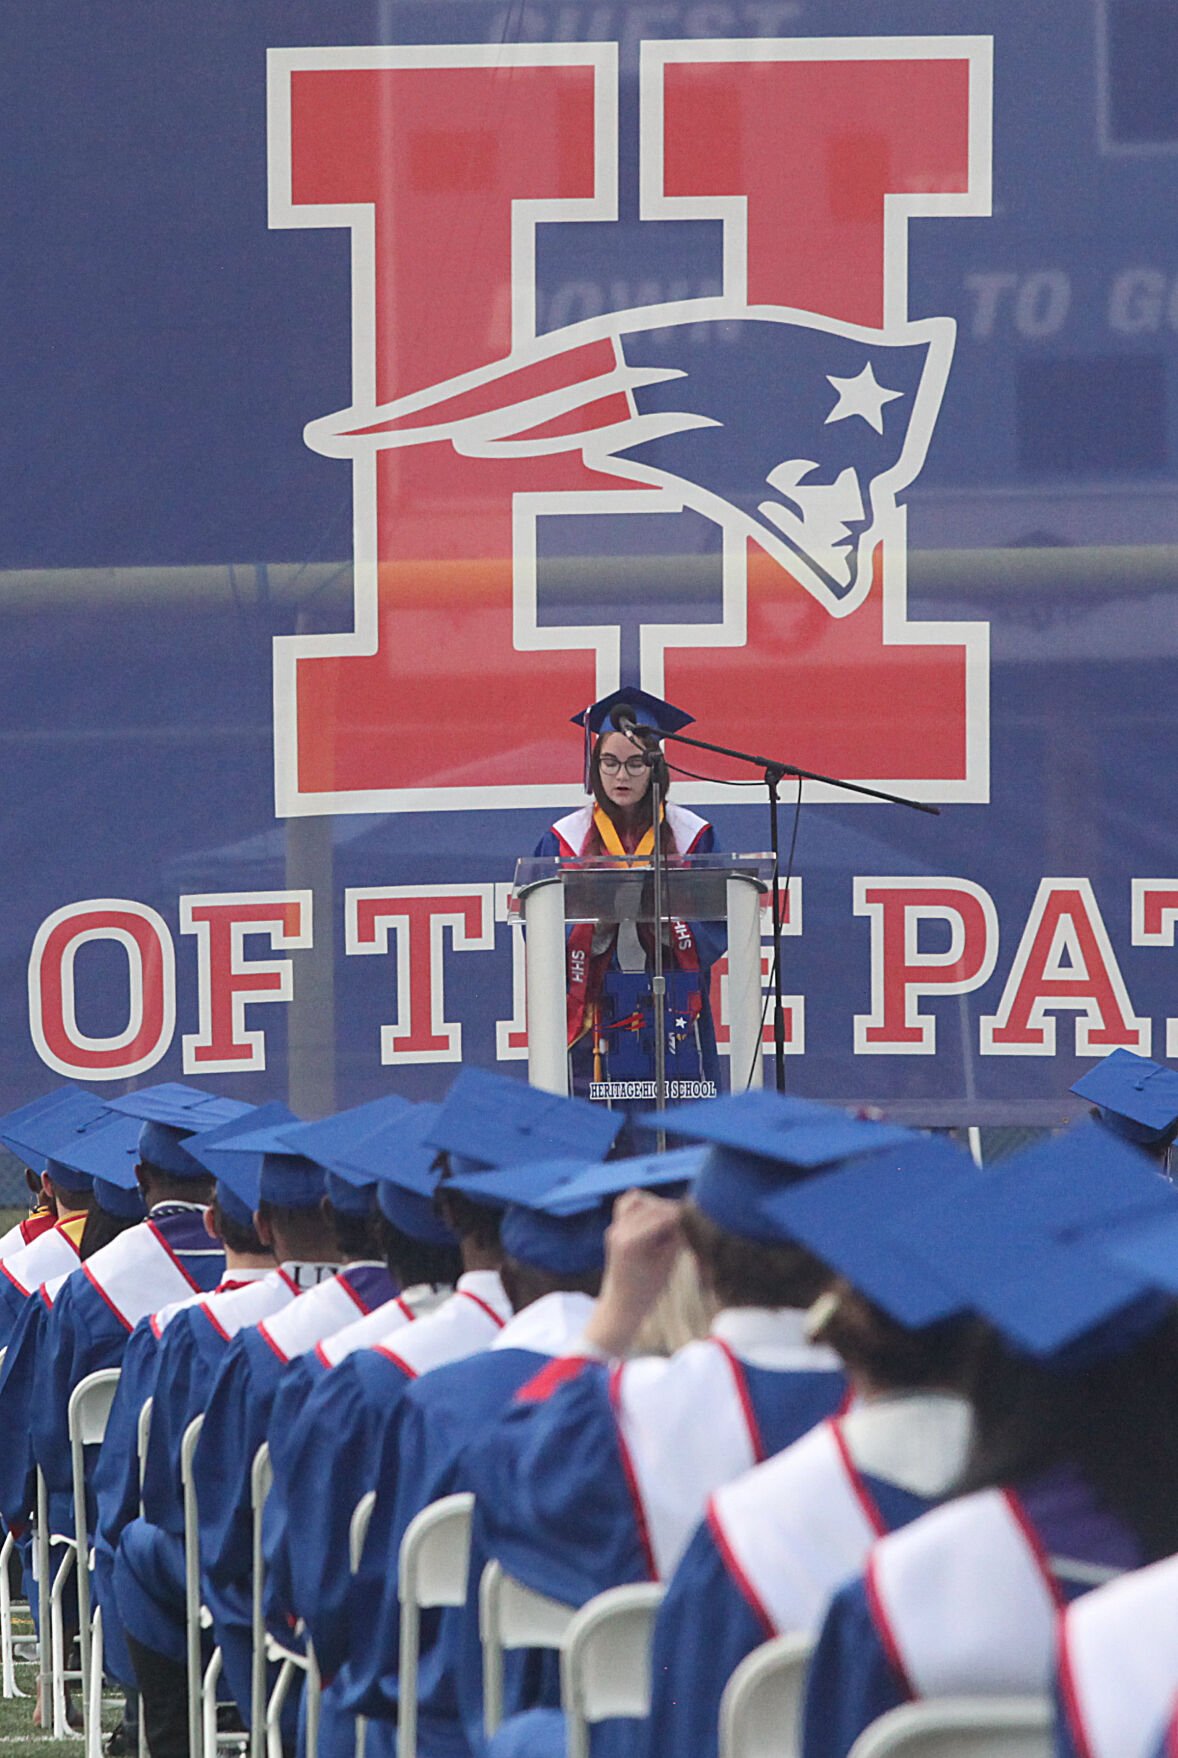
[766,1140]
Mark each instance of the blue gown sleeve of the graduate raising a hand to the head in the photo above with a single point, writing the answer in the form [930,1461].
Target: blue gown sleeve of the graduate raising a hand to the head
[549,1476]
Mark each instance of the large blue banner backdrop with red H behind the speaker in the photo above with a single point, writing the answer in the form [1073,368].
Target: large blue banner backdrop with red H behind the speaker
[820,381]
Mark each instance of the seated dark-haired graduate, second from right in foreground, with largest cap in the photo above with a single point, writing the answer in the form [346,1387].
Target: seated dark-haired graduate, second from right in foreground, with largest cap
[1075,1444]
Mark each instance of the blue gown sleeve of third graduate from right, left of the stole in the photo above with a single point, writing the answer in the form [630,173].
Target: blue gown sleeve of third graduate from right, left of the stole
[704,1631]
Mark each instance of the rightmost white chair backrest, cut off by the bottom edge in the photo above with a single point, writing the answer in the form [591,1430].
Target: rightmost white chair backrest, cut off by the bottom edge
[963,1727]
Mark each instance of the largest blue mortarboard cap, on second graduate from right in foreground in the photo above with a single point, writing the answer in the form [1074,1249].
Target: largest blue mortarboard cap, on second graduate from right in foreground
[1022,1246]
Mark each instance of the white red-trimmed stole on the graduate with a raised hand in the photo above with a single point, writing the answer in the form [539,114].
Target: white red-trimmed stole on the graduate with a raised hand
[687,1425]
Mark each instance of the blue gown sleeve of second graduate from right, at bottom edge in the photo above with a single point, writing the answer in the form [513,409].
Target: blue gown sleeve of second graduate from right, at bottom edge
[852,1682]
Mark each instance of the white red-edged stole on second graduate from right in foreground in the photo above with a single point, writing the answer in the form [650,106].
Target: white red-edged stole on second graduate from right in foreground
[964,1599]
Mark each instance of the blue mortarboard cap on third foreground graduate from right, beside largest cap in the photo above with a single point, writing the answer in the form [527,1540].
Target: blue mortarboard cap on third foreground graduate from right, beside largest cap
[861,1217]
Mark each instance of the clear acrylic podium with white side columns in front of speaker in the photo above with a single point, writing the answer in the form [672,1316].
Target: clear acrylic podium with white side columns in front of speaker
[551,892]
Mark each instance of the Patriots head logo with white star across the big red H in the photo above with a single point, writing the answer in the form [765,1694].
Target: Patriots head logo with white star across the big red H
[787,428]
